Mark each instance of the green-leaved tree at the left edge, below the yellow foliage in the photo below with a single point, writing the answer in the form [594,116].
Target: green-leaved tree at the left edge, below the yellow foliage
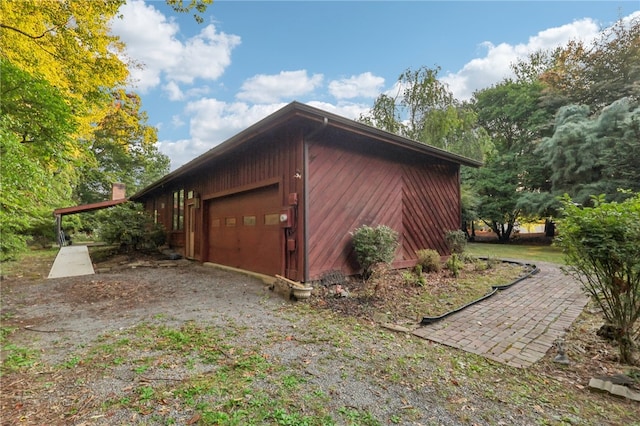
[38,156]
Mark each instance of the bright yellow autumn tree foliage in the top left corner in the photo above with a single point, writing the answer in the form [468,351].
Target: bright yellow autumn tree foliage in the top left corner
[68,44]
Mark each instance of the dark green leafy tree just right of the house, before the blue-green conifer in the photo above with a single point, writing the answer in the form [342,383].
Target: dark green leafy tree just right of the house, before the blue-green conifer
[513,176]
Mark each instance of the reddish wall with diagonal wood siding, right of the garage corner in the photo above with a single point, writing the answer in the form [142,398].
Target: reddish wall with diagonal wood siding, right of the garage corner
[348,187]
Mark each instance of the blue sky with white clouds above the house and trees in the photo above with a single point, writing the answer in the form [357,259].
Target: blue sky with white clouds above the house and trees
[203,83]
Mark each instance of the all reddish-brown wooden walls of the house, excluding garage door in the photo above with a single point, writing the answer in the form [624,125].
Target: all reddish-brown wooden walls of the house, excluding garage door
[342,178]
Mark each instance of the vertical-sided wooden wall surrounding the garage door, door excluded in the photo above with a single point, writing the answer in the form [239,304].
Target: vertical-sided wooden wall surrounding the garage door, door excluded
[274,157]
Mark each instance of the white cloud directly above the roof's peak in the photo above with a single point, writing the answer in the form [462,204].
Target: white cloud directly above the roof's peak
[288,85]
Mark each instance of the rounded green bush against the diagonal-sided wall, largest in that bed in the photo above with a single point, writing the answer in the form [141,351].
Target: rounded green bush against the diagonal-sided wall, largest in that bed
[374,245]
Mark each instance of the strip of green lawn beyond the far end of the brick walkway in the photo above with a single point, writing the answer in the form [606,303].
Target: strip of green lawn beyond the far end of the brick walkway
[532,253]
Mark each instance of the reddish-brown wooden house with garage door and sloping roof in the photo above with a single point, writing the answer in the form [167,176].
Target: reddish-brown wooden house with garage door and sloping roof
[283,196]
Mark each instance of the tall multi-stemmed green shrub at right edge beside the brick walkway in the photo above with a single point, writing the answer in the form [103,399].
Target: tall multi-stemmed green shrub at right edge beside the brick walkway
[601,247]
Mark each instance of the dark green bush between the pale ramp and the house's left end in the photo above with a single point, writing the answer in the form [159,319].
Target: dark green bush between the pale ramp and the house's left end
[131,227]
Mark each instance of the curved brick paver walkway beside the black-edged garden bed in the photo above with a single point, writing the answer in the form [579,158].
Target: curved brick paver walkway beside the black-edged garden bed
[516,326]
